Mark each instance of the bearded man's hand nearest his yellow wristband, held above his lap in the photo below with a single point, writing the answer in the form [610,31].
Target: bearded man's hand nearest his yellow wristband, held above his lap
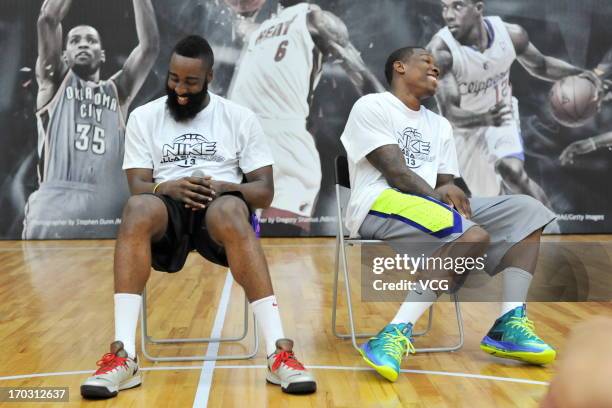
[195,192]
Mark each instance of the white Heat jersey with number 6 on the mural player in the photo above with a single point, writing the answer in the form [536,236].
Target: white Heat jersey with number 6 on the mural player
[279,67]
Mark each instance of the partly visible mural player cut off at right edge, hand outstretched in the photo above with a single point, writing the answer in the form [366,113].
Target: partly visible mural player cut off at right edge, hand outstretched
[602,121]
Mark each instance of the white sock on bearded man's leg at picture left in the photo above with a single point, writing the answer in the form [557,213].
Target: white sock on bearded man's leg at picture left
[127,308]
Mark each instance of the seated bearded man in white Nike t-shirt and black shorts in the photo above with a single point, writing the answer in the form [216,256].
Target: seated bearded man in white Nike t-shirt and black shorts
[173,210]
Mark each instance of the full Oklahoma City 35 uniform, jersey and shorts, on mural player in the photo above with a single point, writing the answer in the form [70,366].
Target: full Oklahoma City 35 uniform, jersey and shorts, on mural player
[80,145]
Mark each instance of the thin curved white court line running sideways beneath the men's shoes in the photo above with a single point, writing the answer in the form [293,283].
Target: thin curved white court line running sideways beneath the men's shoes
[314,367]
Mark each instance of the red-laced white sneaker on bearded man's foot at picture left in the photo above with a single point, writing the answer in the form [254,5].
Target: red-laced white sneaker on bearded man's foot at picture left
[117,372]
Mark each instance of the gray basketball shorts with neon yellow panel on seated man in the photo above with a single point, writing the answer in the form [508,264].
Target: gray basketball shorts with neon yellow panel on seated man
[413,221]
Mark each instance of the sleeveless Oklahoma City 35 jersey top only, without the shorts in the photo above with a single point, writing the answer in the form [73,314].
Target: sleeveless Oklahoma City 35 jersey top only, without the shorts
[81,134]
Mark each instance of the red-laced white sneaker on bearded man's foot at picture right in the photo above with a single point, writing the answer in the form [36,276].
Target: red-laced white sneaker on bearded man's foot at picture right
[285,370]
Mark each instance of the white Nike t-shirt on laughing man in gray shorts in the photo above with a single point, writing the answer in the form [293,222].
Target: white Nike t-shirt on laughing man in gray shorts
[376,120]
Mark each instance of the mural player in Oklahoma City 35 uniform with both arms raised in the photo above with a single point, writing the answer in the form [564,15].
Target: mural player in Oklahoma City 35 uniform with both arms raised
[81,121]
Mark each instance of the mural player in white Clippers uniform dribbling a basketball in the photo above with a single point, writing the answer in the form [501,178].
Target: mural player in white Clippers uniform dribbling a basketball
[475,54]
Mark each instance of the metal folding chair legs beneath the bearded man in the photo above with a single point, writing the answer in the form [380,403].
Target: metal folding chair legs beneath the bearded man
[146,338]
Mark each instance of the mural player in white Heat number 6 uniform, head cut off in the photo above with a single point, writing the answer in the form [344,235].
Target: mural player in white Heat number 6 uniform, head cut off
[278,71]
